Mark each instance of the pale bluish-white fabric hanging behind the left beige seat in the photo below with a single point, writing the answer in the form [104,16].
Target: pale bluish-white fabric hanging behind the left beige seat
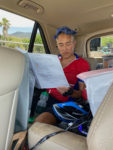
[25,95]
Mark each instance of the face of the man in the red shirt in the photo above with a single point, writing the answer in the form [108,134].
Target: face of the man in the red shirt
[65,45]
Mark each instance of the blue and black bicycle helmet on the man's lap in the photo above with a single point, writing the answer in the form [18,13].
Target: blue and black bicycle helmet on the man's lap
[69,111]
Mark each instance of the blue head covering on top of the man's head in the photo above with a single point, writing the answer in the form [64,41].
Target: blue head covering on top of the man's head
[65,30]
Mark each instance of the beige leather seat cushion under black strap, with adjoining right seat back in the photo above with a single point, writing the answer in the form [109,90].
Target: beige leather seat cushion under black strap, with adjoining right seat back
[100,136]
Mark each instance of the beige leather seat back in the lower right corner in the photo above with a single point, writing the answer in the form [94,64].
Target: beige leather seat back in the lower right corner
[100,136]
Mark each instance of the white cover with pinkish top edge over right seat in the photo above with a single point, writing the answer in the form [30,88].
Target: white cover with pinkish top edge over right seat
[97,84]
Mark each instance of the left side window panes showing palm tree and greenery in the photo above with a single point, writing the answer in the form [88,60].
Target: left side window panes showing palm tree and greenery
[16,31]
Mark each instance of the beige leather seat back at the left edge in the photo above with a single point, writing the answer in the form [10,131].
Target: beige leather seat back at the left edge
[11,72]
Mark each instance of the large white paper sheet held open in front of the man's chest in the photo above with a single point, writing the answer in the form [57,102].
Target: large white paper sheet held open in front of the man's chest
[48,71]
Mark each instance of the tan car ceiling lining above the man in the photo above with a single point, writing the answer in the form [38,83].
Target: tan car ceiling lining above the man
[84,15]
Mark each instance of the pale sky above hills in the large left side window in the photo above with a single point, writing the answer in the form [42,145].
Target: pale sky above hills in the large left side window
[15,20]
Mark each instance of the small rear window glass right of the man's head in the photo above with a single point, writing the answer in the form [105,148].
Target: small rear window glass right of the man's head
[101,46]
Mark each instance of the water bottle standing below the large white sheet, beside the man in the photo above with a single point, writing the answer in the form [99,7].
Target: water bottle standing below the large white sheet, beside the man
[41,105]
